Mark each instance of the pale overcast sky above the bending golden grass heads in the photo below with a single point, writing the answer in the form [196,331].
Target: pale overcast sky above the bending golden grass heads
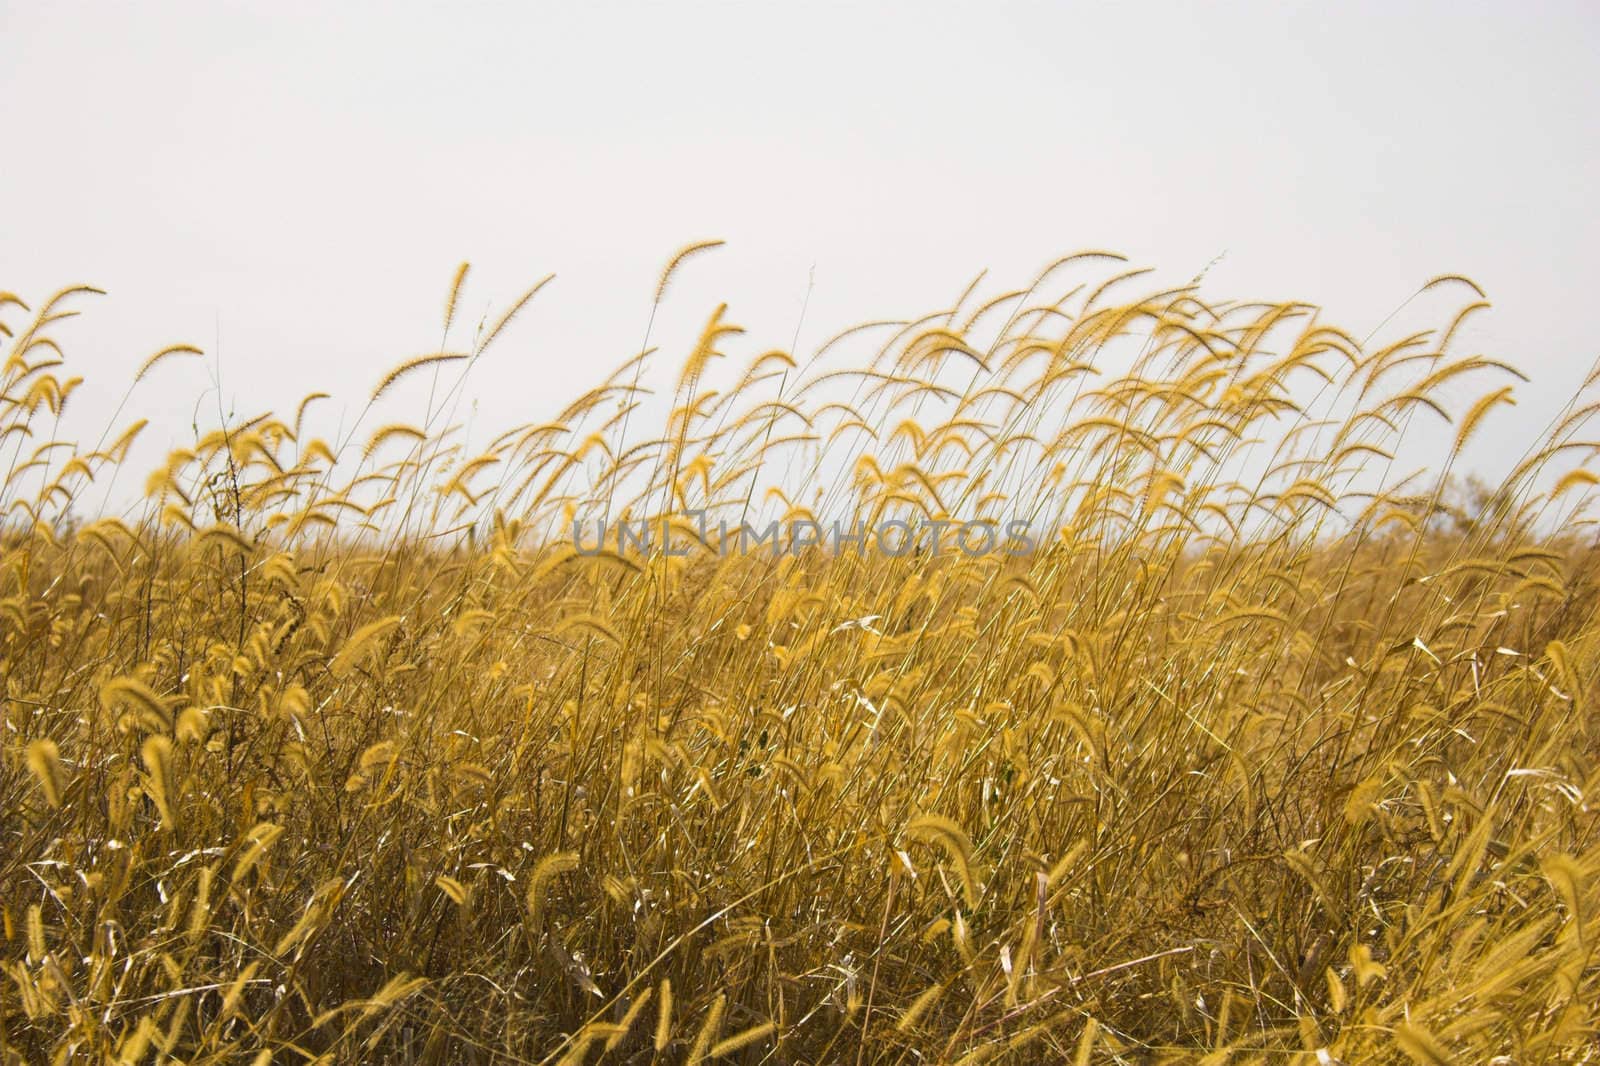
[308,177]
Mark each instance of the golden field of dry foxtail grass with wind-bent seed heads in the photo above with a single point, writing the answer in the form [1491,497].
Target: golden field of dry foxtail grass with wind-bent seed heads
[1274,750]
